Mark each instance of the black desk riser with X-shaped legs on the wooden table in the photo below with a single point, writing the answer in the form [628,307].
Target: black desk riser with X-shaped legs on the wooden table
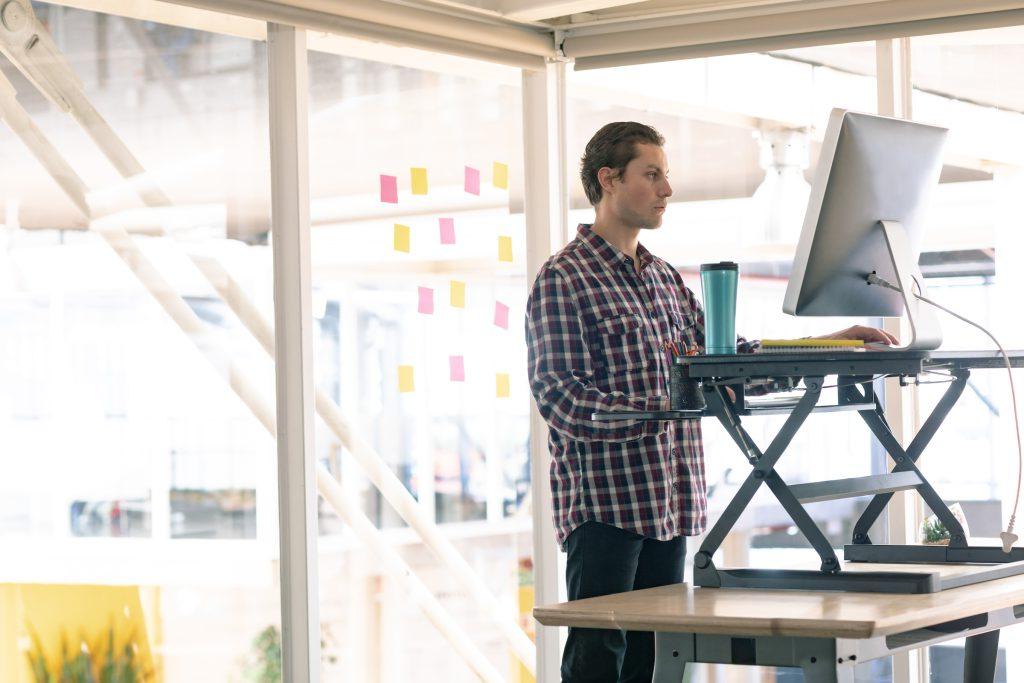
[856,372]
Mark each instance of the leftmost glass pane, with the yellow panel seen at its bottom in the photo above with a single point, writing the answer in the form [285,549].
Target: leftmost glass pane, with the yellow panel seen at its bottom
[138,486]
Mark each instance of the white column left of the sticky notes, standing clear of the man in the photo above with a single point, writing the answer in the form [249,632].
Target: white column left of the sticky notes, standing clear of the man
[293,336]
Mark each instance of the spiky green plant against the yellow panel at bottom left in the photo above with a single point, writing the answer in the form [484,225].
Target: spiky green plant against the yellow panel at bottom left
[90,664]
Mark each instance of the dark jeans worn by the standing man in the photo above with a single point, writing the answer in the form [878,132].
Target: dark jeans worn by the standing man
[603,561]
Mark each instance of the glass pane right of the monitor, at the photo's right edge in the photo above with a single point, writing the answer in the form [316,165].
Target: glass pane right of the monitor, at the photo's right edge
[973,249]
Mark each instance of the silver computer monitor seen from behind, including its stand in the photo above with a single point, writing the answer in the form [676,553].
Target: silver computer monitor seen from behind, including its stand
[866,216]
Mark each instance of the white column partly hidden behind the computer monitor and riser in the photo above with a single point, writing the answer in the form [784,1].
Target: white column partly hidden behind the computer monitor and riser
[905,513]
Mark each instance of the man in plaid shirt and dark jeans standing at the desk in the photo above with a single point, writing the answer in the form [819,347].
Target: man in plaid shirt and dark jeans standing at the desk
[625,494]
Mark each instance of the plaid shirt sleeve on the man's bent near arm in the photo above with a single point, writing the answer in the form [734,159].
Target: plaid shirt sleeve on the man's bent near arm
[562,375]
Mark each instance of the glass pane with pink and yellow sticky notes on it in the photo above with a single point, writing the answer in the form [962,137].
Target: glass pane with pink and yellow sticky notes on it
[419,263]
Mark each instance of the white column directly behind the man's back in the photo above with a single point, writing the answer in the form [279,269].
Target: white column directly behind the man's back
[547,218]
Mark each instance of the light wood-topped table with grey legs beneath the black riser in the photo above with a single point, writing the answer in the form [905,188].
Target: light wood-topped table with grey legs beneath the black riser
[825,633]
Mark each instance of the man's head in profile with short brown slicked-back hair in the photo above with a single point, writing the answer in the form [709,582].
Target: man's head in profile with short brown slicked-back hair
[625,174]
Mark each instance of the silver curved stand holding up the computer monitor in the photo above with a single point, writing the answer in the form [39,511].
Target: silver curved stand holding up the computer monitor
[925,332]
